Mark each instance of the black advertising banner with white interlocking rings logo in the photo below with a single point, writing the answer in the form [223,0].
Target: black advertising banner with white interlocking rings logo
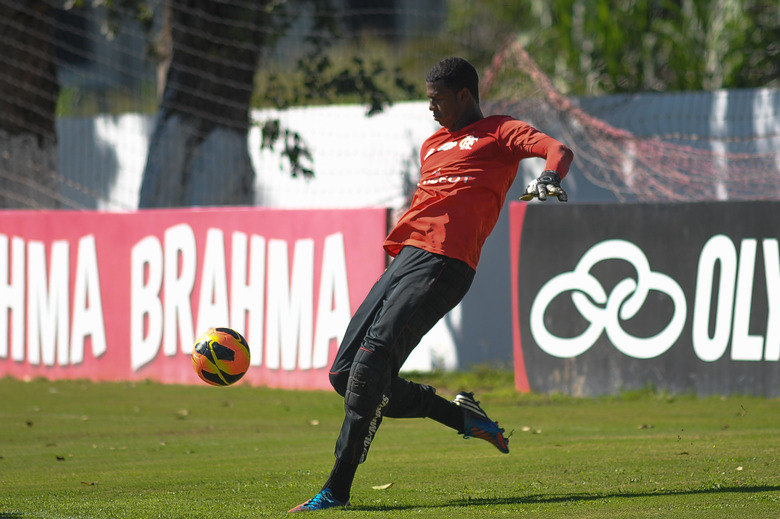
[684,297]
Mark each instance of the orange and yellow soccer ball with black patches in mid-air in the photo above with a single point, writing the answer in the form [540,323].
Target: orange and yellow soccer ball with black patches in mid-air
[220,356]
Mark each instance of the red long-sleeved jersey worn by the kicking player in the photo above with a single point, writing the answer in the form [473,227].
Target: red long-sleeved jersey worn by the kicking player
[464,178]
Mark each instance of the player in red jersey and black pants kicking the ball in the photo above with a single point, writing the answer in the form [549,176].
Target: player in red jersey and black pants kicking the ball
[467,167]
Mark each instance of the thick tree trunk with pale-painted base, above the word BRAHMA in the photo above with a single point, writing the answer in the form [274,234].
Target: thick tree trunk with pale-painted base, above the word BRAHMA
[198,152]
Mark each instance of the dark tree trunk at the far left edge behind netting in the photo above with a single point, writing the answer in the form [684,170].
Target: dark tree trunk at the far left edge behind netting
[28,102]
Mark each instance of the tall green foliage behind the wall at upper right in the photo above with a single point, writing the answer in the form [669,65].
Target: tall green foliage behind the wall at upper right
[606,46]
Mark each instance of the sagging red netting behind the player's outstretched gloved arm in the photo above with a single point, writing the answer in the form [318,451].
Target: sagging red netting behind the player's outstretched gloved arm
[635,167]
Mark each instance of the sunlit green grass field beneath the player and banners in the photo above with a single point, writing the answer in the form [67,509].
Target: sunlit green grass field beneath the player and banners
[145,450]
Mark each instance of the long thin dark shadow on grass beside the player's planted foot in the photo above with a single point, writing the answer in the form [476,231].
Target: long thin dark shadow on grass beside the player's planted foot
[569,498]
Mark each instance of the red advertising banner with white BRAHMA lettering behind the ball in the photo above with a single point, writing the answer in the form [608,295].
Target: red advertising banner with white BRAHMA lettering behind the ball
[122,296]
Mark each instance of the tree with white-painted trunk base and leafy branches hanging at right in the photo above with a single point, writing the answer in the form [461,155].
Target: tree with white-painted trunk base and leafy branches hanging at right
[198,151]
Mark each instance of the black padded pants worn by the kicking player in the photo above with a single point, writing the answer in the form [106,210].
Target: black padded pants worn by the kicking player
[416,290]
